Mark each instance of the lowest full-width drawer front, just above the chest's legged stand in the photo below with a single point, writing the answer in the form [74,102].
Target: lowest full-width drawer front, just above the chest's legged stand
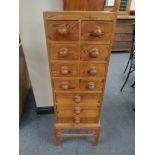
[82,120]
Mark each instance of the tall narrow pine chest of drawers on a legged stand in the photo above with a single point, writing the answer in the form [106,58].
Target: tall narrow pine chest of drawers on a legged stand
[79,47]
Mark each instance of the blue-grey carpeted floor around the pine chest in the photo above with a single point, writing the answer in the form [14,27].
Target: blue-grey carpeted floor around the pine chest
[118,122]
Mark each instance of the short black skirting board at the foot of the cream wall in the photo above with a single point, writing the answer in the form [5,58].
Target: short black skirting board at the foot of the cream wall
[45,110]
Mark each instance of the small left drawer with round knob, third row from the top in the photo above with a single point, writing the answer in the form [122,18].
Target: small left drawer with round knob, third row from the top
[64,69]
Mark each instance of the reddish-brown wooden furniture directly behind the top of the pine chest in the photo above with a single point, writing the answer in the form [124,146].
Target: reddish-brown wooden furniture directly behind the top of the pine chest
[83,5]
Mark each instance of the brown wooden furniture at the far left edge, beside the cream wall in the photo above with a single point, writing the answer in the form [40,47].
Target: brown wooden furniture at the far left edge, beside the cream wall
[24,82]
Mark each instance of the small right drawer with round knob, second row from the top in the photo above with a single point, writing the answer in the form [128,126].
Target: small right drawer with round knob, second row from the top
[94,52]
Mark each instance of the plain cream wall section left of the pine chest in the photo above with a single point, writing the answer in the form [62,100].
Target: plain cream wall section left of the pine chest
[34,45]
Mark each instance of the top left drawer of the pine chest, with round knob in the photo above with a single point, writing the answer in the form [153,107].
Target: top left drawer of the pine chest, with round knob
[62,30]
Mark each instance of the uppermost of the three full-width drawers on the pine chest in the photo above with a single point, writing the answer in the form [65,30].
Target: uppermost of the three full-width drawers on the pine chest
[80,99]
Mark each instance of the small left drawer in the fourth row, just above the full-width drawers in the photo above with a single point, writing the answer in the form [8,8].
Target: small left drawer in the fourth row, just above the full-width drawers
[65,85]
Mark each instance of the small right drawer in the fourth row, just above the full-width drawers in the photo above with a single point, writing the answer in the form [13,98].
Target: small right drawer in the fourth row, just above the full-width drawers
[91,85]
